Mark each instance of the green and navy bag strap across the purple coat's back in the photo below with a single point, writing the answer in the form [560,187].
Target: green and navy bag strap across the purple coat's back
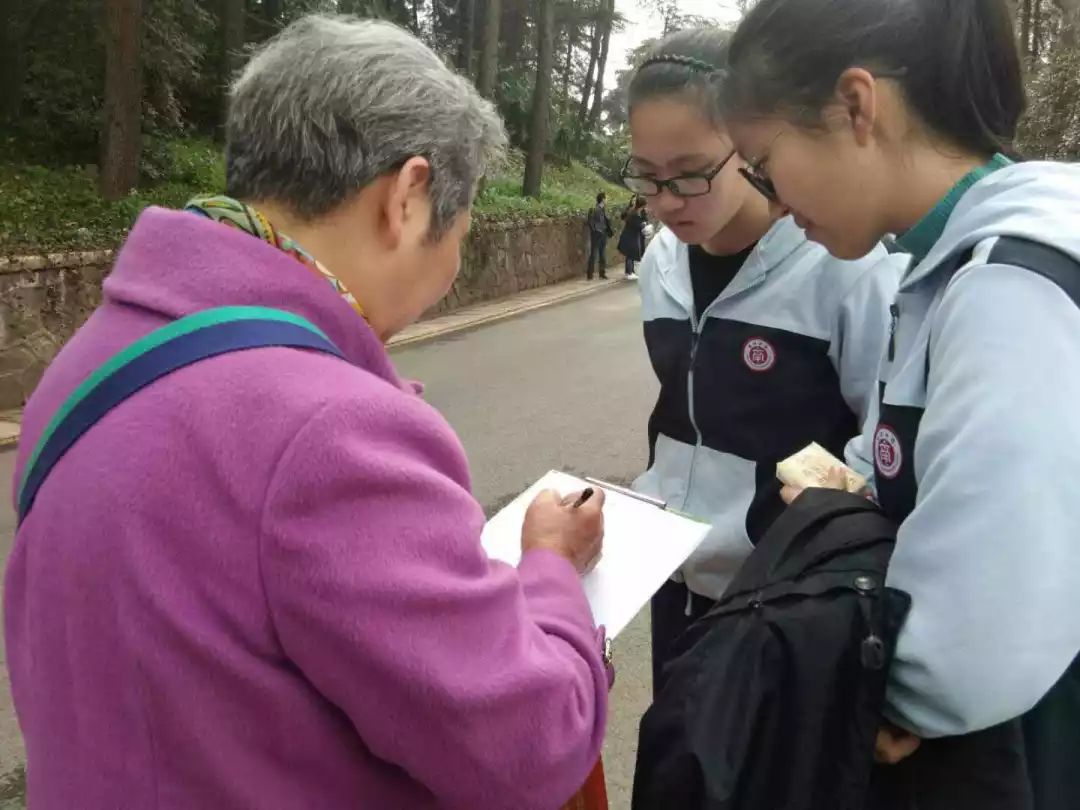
[181,344]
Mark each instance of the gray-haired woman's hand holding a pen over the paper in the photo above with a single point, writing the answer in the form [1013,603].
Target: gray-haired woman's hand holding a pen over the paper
[555,524]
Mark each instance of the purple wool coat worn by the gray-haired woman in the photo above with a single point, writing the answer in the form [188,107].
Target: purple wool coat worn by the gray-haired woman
[259,584]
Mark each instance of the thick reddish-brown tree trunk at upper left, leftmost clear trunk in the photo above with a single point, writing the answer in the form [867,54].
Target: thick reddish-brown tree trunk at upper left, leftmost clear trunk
[121,139]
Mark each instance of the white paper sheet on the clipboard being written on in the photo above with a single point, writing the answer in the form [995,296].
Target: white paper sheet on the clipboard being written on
[643,547]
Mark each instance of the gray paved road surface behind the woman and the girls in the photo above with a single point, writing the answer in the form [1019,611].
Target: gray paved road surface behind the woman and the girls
[563,388]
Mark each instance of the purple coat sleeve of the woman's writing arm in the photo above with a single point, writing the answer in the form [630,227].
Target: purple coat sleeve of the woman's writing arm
[481,682]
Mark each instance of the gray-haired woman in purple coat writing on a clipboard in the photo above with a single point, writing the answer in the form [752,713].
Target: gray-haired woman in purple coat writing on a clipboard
[248,570]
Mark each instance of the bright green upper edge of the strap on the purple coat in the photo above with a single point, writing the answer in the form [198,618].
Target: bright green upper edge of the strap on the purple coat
[151,342]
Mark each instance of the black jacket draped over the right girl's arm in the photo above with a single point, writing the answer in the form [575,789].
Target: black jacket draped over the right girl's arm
[776,698]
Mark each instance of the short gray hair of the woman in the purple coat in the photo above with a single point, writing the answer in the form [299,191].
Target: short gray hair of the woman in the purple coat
[333,103]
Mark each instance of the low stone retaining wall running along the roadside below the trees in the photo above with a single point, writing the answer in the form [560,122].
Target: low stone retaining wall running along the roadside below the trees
[44,300]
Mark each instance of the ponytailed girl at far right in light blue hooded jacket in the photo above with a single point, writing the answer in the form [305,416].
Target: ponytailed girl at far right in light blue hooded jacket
[872,117]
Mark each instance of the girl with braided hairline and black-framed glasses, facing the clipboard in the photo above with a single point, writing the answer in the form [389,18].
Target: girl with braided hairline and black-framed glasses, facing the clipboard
[761,342]
